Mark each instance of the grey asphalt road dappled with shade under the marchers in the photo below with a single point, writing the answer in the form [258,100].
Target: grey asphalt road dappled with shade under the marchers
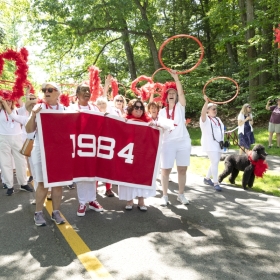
[229,235]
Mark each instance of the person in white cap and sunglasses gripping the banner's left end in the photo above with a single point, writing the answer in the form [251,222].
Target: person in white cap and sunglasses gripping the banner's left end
[50,101]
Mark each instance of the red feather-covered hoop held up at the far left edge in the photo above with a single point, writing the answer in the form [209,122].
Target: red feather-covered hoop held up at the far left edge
[20,59]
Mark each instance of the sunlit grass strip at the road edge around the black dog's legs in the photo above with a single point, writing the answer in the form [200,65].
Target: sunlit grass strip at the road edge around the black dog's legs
[269,184]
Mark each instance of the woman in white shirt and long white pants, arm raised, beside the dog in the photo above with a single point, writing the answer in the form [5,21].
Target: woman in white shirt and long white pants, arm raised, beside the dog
[212,137]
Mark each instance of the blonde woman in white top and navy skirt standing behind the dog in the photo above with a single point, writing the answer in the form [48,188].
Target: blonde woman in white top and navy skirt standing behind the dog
[245,129]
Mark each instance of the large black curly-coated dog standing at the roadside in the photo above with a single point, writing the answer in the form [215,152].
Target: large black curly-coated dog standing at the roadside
[236,163]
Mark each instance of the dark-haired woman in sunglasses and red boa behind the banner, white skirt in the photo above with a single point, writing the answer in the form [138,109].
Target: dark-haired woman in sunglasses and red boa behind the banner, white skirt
[135,112]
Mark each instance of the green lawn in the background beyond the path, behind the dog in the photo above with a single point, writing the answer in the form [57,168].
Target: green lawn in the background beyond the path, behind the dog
[261,137]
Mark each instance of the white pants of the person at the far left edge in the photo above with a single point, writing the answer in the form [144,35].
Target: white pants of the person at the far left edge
[10,145]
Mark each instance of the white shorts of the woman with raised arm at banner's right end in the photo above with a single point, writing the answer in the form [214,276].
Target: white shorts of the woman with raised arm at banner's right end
[179,150]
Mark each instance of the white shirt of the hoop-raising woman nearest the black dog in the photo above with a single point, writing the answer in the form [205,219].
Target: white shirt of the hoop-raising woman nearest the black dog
[207,141]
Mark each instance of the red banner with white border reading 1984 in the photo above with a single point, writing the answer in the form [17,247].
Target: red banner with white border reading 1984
[89,146]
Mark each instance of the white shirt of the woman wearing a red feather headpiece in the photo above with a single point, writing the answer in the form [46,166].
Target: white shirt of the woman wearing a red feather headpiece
[180,131]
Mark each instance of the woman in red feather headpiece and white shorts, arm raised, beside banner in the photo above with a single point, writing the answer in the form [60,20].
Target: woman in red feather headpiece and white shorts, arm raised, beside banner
[176,143]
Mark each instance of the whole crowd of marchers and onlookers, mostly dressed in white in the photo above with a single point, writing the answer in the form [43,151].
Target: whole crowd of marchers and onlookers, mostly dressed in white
[17,124]
